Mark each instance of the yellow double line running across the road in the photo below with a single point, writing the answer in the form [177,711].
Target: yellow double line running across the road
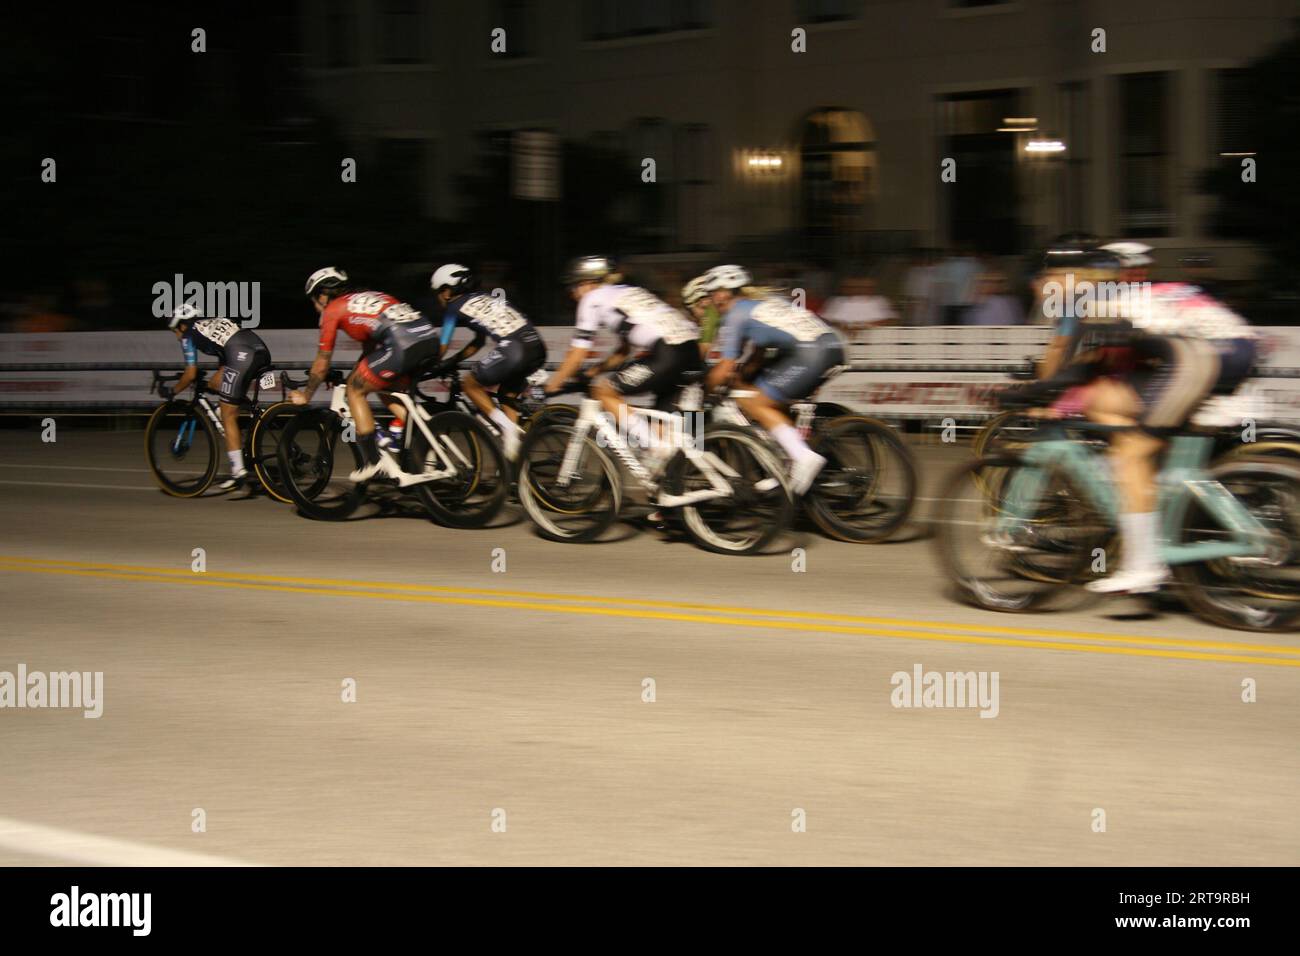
[596,605]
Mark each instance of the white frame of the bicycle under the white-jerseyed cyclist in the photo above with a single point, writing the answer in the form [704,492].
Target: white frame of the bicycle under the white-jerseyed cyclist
[592,418]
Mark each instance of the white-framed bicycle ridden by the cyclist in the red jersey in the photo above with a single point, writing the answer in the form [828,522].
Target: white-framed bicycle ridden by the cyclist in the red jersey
[454,465]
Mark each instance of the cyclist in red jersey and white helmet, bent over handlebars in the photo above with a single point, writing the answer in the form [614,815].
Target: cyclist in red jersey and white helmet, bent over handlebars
[396,341]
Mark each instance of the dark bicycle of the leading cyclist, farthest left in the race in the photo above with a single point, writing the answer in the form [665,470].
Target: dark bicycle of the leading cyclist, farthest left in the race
[185,439]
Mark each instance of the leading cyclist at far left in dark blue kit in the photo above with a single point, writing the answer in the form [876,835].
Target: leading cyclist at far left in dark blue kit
[242,356]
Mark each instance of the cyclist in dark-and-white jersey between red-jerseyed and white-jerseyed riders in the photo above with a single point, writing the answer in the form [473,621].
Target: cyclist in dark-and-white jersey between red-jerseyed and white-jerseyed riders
[517,353]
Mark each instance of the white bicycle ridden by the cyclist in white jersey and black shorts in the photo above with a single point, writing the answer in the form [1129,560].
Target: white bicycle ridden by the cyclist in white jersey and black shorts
[729,488]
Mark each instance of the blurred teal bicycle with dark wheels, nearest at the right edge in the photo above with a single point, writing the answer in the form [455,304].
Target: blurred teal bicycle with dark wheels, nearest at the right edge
[1043,520]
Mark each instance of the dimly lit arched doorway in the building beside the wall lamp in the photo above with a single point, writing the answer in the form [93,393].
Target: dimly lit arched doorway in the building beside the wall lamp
[838,180]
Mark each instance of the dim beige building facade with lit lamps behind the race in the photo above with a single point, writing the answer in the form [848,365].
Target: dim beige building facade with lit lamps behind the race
[831,120]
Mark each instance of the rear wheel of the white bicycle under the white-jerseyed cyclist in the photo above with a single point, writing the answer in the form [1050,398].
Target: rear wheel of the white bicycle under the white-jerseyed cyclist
[760,507]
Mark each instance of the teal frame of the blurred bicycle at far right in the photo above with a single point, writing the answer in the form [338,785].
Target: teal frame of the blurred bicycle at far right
[1182,479]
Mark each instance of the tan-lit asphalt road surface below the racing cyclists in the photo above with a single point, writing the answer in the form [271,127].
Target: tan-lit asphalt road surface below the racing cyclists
[500,717]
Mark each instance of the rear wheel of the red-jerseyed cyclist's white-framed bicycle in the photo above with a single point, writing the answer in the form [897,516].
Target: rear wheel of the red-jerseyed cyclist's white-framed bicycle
[475,491]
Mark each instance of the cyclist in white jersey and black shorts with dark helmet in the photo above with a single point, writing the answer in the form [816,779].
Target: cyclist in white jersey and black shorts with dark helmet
[658,351]
